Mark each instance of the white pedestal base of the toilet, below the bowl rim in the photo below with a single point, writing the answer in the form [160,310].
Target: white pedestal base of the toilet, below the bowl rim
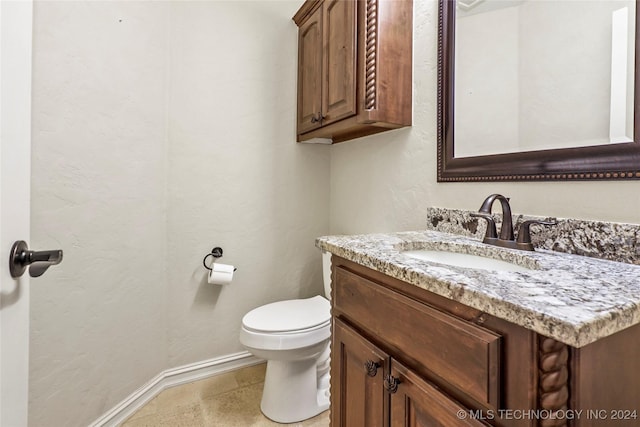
[296,390]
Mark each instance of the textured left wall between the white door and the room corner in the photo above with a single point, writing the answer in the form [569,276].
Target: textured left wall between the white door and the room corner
[98,320]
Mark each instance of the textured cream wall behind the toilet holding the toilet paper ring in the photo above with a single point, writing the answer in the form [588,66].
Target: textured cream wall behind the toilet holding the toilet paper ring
[237,179]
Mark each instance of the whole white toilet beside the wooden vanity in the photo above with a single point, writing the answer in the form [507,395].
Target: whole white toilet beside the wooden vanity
[293,336]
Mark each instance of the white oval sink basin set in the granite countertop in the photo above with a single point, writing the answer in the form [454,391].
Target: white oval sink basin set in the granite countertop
[465,260]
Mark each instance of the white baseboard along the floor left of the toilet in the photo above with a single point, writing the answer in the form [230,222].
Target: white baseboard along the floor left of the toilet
[171,378]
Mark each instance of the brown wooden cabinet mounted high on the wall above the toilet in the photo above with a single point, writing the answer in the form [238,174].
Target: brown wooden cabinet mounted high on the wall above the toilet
[354,67]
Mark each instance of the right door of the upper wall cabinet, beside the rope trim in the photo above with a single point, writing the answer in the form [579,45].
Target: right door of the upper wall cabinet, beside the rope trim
[339,84]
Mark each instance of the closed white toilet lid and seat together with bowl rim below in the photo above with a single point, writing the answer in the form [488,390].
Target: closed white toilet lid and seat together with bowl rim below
[287,324]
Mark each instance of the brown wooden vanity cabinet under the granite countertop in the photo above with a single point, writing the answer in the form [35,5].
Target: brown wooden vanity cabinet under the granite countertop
[403,356]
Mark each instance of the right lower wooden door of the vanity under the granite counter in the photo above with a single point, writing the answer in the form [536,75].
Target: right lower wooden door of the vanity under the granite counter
[417,403]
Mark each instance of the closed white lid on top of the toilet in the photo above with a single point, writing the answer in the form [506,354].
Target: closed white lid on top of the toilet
[289,315]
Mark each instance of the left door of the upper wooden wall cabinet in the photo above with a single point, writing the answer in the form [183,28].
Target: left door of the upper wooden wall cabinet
[310,73]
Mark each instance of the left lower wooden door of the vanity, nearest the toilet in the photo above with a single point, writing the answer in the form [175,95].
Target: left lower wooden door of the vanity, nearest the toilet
[358,367]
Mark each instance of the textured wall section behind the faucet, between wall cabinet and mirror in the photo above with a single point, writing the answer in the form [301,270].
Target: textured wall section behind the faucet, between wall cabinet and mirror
[386,182]
